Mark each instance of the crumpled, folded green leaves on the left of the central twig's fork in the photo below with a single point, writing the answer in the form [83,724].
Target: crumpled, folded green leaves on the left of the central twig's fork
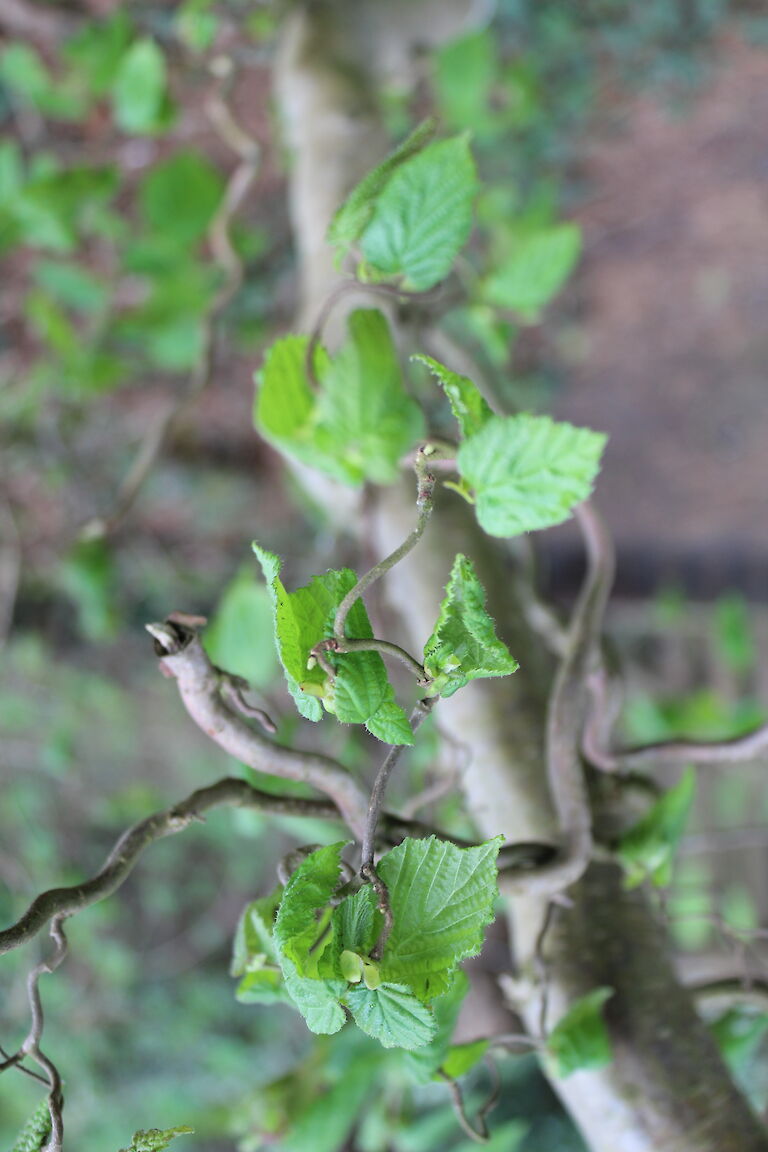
[361,692]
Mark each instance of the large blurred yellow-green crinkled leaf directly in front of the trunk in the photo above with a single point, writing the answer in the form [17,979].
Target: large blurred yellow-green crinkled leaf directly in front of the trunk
[361,421]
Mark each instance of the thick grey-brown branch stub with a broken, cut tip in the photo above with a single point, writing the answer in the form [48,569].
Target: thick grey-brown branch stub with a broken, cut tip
[200,687]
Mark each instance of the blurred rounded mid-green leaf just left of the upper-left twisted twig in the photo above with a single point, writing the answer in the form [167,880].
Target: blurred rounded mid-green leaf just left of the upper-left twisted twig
[179,199]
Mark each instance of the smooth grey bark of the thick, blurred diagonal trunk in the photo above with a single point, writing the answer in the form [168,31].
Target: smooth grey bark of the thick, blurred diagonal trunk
[667,1089]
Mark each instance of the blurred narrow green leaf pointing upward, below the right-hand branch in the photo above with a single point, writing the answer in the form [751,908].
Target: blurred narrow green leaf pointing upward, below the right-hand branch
[648,851]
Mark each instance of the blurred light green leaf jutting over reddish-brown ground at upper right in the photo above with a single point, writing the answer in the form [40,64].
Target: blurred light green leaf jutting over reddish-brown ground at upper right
[539,266]
